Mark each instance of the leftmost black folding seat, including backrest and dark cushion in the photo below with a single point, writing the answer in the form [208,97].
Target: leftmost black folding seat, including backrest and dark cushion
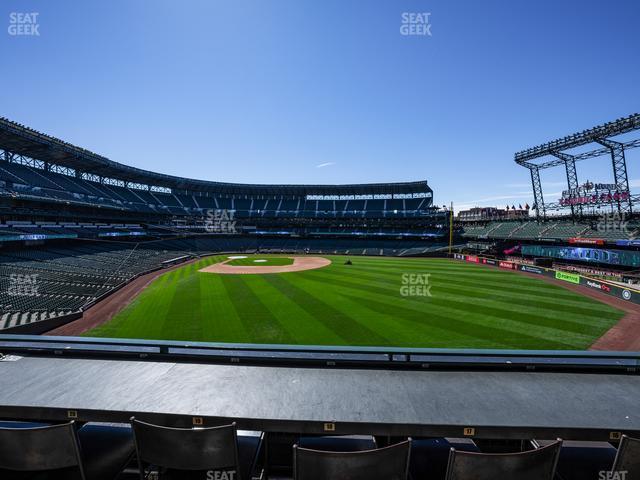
[62,452]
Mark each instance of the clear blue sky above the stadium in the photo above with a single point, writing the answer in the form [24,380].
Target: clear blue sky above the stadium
[293,91]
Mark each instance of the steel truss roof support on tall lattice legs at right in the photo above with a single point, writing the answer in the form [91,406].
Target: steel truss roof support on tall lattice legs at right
[534,159]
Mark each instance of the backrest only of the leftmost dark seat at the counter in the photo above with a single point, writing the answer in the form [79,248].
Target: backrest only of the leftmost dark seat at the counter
[40,449]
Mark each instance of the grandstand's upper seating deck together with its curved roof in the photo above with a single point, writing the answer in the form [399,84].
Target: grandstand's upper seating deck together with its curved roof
[39,171]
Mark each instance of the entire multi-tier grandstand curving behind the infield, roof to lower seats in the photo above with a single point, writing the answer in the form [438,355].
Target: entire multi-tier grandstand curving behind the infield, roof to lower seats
[76,226]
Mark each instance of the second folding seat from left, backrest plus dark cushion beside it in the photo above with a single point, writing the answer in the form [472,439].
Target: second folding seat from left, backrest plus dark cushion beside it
[195,453]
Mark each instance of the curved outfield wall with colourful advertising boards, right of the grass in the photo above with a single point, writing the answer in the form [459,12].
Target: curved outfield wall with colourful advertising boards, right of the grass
[628,294]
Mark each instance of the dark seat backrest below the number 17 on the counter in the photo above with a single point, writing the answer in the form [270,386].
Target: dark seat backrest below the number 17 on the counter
[537,464]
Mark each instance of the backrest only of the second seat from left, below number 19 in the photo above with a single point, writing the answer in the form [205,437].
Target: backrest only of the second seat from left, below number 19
[214,448]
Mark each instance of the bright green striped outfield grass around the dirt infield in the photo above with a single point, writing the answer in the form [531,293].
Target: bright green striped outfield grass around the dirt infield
[470,307]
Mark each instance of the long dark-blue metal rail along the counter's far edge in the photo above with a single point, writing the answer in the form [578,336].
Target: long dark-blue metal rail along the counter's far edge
[295,355]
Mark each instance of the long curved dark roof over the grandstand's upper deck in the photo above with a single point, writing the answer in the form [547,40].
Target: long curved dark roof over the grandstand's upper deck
[22,140]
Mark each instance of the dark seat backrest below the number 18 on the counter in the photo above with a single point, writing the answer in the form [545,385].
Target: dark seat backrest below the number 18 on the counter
[389,463]
